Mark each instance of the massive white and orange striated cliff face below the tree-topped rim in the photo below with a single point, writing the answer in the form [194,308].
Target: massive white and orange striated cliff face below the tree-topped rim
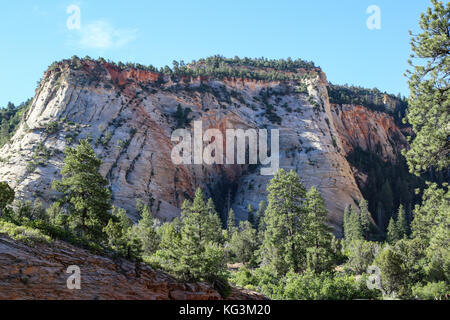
[129,115]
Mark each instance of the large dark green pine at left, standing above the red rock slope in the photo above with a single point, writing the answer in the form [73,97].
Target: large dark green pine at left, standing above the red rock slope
[84,191]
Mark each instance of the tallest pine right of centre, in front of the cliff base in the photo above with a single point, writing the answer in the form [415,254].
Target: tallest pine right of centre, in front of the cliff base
[283,245]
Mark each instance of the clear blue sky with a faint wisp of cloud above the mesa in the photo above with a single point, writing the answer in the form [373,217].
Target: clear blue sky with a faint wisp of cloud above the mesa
[333,34]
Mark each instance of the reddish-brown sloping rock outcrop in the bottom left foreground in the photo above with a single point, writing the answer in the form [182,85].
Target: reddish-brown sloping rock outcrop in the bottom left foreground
[39,271]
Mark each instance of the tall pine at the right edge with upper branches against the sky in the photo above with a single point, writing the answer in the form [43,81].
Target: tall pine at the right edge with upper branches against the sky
[429,101]
